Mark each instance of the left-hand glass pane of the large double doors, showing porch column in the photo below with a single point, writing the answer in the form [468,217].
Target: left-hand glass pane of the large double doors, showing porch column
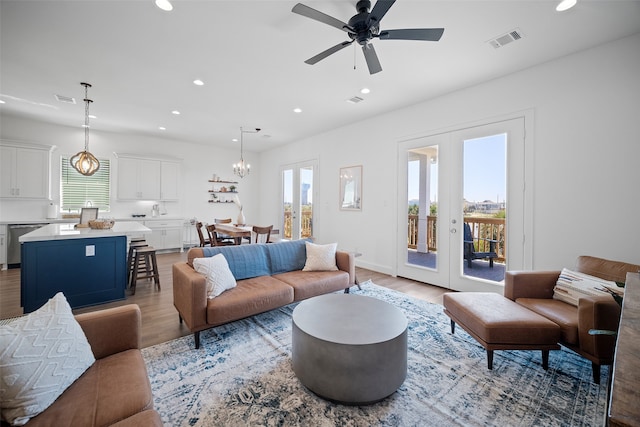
[422,192]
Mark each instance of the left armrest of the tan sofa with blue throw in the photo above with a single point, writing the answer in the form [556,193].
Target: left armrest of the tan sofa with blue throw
[190,296]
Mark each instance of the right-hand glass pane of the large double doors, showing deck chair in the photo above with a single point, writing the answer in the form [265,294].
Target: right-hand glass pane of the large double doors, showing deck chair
[484,207]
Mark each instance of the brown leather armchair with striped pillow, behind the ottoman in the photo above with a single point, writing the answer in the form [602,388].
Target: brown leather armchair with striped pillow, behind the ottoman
[534,290]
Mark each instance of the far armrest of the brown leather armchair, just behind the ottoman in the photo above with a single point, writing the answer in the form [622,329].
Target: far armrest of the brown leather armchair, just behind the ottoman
[530,284]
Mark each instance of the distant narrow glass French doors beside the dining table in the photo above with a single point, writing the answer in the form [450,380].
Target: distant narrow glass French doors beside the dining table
[298,192]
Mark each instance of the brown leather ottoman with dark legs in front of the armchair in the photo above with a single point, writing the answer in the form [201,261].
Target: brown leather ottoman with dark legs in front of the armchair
[498,323]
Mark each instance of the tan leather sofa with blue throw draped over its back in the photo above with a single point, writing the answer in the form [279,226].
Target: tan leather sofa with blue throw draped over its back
[252,295]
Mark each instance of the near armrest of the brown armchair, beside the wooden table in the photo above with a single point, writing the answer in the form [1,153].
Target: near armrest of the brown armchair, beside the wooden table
[598,312]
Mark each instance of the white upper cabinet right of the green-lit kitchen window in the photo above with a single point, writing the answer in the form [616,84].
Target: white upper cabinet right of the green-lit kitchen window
[147,179]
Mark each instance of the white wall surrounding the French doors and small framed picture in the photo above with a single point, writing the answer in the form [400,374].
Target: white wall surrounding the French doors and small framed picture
[585,166]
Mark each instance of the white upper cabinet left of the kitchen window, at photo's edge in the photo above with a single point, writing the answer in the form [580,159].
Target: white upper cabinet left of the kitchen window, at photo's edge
[24,171]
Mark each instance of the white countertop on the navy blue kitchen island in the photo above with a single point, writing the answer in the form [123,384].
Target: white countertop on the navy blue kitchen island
[67,231]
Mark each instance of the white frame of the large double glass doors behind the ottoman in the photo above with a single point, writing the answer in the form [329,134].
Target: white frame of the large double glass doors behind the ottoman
[518,257]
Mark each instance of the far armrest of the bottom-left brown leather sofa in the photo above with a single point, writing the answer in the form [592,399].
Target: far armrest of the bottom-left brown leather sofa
[112,330]
